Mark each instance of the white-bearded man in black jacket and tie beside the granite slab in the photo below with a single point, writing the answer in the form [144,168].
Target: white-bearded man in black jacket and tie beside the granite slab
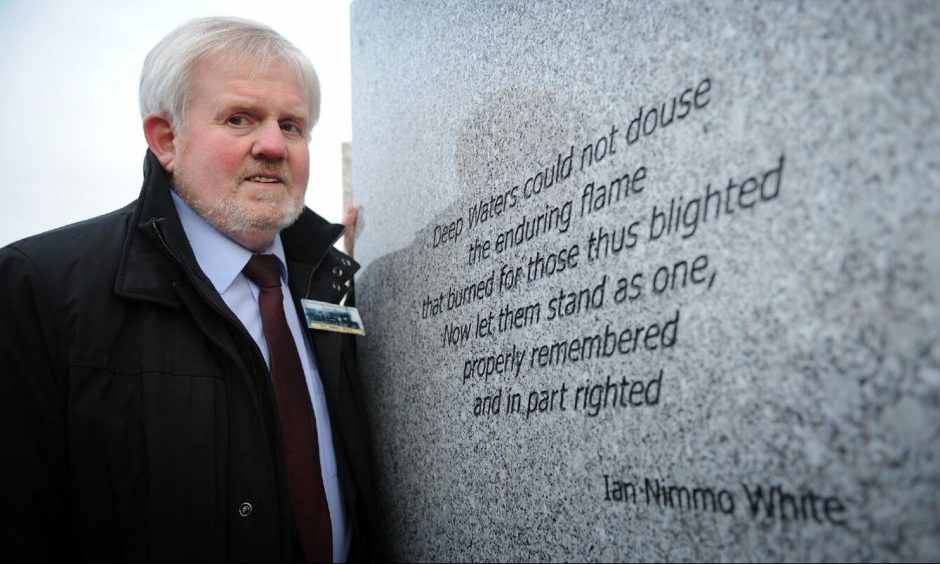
[162,398]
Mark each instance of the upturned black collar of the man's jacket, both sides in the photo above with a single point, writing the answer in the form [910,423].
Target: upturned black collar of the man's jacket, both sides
[156,255]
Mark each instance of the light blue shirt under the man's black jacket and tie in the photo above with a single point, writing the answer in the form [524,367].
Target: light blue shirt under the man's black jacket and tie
[222,261]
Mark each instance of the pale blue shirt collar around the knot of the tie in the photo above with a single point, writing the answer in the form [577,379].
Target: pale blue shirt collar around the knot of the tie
[220,258]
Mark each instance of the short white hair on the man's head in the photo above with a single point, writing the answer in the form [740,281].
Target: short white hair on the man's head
[166,81]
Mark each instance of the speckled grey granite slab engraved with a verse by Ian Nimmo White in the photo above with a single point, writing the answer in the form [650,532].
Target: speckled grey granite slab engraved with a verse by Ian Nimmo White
[758,381]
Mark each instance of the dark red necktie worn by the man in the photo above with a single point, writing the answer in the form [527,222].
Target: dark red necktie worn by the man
[304,481]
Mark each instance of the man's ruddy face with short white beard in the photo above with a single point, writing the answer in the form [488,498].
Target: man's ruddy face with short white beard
[242,158]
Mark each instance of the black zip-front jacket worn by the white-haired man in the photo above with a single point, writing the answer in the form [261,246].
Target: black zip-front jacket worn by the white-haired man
[138,415]
